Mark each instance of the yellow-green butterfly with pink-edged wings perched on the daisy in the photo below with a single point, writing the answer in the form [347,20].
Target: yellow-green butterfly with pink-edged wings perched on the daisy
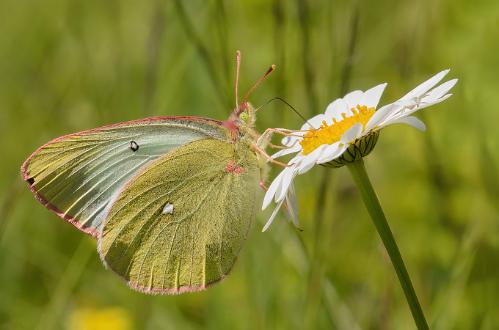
[169,199]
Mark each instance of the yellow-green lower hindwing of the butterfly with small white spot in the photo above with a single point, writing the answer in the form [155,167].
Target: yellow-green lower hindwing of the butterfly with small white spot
[179,224]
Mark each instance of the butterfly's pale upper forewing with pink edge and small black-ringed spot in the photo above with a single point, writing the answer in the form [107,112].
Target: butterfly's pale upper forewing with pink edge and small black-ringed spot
[77,175]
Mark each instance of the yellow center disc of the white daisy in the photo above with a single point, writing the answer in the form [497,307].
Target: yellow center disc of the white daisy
[329,134]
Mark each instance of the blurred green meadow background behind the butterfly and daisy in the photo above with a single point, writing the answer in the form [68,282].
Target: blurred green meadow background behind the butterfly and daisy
[67,66]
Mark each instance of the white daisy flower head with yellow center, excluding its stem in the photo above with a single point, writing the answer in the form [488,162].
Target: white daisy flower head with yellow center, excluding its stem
[347,131]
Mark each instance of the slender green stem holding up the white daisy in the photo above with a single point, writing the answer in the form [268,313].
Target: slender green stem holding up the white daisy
[374,208]
